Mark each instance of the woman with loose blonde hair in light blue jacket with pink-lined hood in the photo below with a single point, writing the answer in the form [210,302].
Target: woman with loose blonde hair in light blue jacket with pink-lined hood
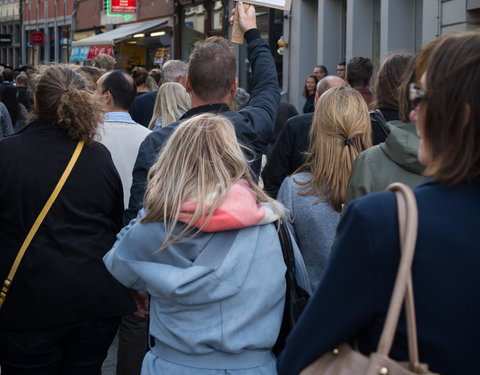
[206,249]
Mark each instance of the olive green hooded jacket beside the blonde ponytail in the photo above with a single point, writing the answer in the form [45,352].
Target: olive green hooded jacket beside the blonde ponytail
[395,160]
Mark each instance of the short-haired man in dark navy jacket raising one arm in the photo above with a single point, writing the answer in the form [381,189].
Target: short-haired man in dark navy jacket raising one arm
[211,81]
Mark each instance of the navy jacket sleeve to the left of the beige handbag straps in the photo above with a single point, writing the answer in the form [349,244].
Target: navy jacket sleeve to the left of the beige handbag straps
[343,303]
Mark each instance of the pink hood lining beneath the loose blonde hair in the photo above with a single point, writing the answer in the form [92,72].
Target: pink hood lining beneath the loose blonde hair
[239,210]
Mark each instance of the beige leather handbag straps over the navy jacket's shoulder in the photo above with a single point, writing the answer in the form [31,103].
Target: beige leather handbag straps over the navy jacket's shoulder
[403,289]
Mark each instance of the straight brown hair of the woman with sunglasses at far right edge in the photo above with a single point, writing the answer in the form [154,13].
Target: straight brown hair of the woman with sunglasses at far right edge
[452,112]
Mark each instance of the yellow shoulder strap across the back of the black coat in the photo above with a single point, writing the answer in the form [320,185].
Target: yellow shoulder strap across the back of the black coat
[38,221]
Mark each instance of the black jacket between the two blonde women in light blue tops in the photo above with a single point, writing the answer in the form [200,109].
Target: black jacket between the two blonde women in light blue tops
[288,153]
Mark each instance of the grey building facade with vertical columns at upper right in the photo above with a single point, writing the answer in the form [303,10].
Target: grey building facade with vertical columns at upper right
[329,31]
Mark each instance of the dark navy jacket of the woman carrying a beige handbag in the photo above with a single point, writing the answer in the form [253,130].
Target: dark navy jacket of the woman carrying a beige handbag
[352,298]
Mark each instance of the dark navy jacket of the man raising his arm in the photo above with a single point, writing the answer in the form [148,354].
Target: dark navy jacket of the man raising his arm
[253,124]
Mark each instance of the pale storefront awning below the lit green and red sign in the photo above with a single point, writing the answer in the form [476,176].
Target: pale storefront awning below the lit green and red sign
[111,37]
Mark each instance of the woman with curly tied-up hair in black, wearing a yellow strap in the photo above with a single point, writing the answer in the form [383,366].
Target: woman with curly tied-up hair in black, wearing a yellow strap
[63,307]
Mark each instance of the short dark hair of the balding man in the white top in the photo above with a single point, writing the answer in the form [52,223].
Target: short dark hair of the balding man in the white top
[122,87]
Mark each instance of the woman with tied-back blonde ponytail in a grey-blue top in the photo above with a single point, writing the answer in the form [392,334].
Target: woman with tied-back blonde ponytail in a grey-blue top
[315,194]
